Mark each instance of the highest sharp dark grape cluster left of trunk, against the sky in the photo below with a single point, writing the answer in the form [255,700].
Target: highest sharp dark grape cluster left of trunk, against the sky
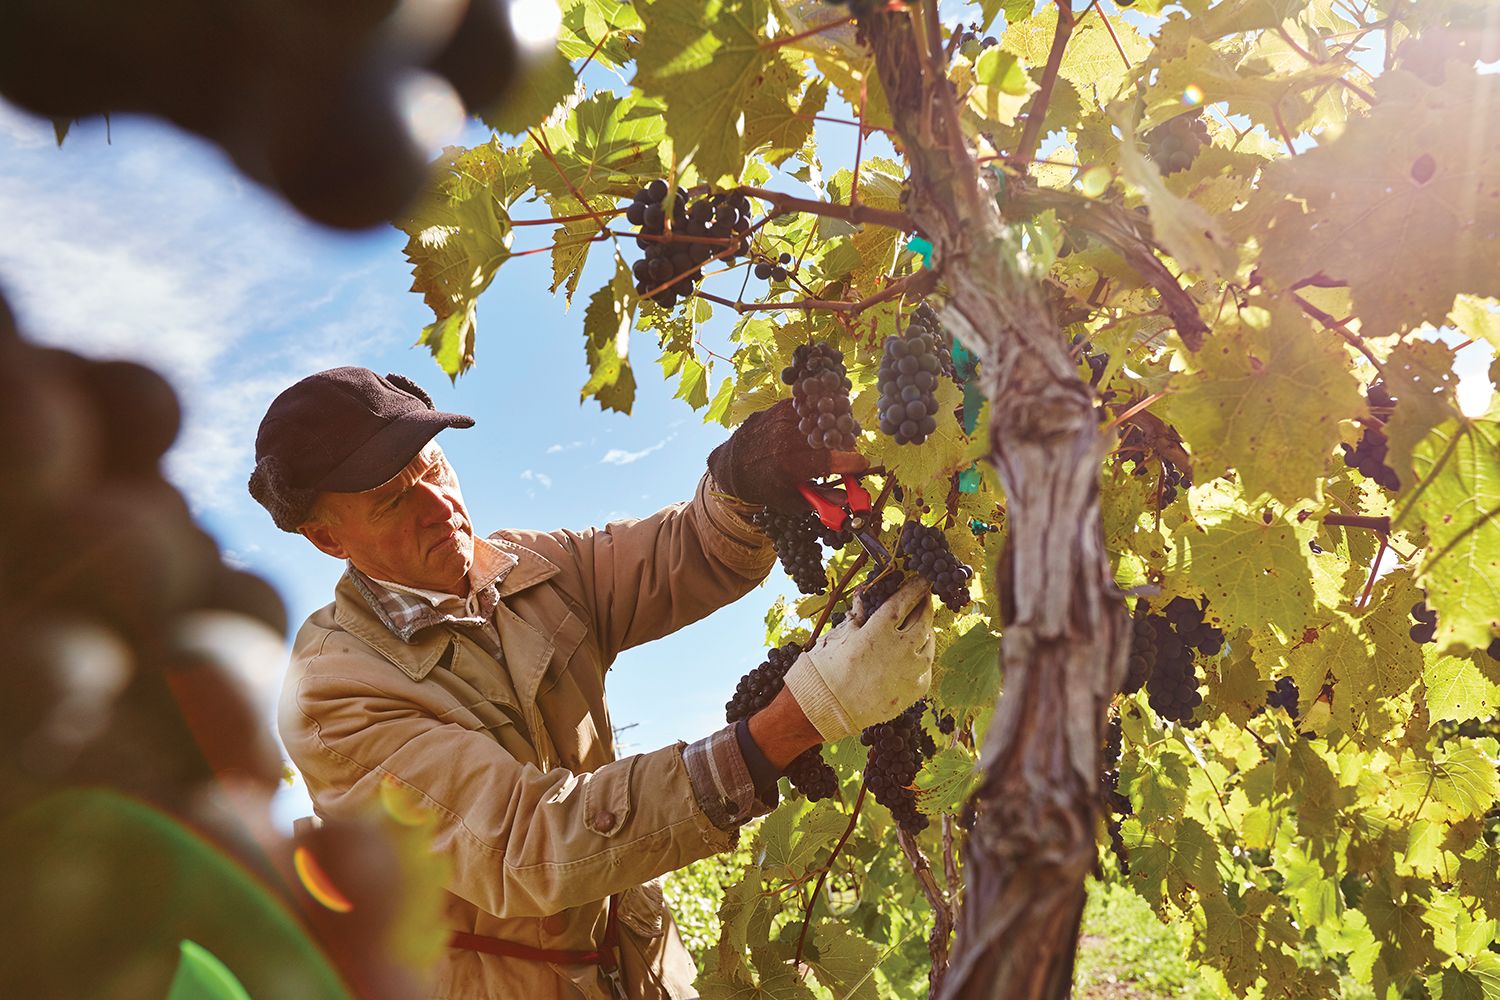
[713,224]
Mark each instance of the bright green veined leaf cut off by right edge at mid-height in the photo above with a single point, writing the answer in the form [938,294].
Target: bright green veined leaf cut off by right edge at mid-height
[1459,503]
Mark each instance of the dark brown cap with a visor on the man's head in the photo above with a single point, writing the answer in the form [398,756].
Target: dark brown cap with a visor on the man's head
[344,431]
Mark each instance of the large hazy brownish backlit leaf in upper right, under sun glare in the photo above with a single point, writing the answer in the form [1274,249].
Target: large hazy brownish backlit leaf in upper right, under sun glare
[1415,175]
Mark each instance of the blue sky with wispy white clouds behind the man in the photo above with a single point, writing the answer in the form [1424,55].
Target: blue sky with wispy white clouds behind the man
[152,248]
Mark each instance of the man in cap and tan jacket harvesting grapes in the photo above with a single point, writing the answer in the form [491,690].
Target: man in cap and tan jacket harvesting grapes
[469,671]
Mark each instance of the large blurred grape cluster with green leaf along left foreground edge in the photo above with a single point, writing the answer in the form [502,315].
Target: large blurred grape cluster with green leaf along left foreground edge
[136,776]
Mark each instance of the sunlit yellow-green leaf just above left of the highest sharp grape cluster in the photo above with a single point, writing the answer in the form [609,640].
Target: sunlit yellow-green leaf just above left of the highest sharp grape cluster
[604,149]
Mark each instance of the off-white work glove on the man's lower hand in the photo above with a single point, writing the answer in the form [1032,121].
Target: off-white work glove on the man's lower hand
[859,674]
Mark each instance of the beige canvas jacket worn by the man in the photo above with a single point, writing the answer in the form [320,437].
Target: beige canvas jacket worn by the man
[538,818]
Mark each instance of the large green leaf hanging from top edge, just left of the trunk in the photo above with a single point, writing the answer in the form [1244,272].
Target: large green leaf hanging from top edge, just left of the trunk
[707,61]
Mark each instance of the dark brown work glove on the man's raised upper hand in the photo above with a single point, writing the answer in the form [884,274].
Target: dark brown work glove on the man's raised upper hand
[767,458]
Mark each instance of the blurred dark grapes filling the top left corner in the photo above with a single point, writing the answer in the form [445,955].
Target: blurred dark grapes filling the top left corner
[317,101]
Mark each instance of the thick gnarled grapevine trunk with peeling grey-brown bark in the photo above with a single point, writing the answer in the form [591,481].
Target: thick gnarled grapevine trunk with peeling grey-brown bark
[1066,632]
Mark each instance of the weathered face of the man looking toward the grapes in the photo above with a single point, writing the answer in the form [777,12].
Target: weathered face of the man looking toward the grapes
[413,530]
